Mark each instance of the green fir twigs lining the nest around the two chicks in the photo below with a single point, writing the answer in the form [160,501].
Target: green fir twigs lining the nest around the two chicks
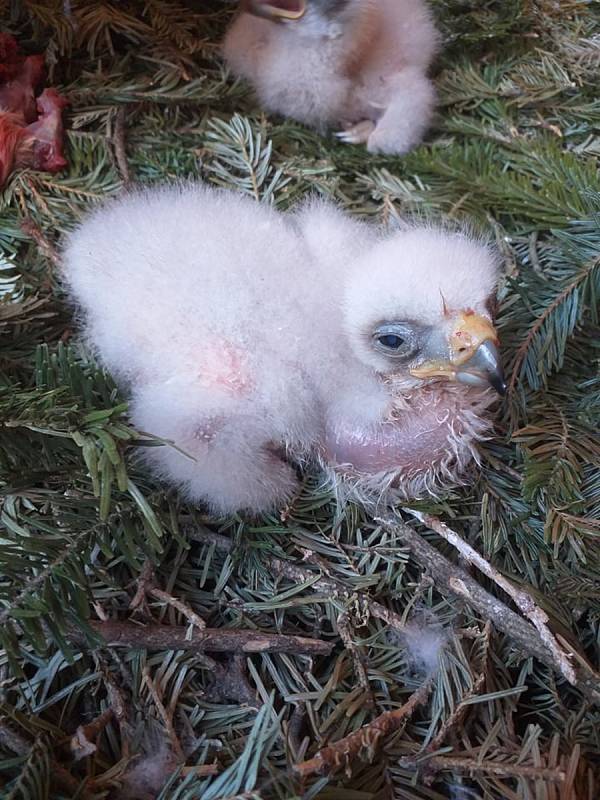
[515,148]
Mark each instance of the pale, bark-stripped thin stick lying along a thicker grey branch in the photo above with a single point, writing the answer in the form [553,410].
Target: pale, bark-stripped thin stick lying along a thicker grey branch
[522,600]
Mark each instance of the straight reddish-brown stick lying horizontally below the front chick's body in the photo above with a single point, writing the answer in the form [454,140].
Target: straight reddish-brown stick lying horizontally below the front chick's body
[215,640]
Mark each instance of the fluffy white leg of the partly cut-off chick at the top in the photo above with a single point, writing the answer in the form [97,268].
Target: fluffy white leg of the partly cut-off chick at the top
[407,115]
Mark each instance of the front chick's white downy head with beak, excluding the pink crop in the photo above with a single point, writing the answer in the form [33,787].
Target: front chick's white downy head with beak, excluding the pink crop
[417,310]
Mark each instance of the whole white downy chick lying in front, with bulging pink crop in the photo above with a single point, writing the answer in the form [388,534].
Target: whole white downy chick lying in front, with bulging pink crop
[253,340]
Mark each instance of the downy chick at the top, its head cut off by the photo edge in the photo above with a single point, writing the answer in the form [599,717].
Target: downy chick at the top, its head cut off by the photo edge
[356,64]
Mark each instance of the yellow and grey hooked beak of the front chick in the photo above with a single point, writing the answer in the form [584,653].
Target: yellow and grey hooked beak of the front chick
[467,352]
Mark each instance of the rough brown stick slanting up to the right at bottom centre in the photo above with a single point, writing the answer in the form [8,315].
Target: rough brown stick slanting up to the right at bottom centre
[364,741]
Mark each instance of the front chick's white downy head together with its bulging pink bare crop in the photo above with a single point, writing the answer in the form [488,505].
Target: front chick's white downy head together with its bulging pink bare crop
[417,315]
